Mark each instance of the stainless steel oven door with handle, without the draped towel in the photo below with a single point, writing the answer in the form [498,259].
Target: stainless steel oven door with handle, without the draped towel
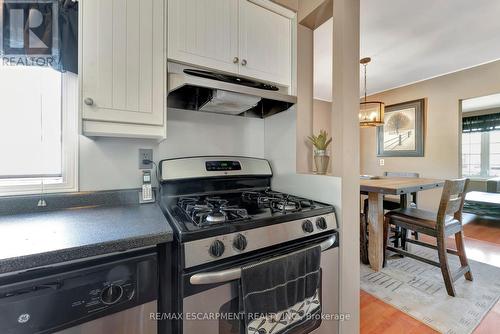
[211,296]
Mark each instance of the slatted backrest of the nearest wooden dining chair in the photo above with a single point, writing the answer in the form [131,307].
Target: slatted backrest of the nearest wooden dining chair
[452,200]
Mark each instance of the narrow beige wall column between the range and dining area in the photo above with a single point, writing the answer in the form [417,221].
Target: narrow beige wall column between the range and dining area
[346,147]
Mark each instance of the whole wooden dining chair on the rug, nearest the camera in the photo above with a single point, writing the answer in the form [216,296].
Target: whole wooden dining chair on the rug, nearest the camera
[447,222]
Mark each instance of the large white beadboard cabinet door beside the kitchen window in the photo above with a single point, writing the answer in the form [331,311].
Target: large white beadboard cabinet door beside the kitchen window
[123,61]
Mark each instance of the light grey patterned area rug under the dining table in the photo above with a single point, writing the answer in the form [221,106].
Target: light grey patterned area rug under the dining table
[417,289]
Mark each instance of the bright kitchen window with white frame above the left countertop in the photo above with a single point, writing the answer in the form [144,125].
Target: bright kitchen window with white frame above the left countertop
[38,130]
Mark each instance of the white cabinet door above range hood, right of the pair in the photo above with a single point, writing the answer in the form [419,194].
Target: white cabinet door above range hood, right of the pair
[264,44]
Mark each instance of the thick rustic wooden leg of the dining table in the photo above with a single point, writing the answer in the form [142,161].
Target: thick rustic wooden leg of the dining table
[376,230]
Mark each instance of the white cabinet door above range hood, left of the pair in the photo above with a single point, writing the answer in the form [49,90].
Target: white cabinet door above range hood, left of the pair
[204,33]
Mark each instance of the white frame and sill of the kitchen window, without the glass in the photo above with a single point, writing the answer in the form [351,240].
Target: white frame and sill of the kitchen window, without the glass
[68,182]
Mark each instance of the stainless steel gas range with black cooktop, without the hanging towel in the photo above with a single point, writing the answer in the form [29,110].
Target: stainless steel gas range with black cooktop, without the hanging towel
[226,216]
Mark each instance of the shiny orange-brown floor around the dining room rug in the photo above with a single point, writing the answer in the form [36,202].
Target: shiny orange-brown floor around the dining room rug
[482,244]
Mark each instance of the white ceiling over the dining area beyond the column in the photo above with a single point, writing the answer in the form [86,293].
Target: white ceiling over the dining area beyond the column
[410,41]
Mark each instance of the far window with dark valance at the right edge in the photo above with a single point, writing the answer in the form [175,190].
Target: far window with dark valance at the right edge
[481,154]
